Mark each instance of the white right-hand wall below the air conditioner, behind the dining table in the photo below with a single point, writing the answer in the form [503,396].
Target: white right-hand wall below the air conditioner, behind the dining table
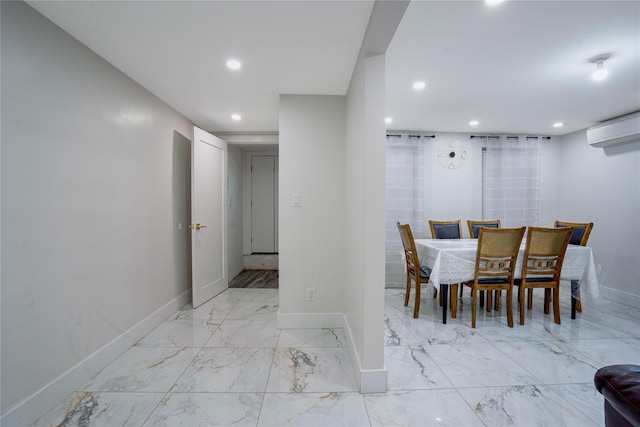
[603,186]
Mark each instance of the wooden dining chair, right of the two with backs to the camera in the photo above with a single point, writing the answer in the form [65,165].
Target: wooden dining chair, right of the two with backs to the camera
[541,267]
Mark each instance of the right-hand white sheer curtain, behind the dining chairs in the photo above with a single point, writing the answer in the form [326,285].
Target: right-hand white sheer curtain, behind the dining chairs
[511,180]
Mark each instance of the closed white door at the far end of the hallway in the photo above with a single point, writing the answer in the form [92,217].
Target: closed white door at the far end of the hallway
[264,204]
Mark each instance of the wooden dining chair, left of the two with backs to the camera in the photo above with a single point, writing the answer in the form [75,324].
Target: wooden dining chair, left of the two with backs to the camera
[495,264]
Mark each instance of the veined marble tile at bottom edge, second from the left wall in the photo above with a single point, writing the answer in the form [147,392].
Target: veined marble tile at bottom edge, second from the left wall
[207,409]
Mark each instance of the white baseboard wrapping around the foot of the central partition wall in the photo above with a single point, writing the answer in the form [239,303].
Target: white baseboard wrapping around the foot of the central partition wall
[370,380]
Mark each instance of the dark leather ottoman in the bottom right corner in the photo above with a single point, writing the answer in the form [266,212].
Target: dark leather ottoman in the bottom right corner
[620,386]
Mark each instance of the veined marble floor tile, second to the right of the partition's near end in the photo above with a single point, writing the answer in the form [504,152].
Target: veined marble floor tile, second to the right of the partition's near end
[478,365]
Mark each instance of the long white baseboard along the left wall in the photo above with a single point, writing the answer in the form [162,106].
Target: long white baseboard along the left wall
[33,407]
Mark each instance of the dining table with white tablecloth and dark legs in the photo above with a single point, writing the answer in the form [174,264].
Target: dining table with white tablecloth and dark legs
[453,262]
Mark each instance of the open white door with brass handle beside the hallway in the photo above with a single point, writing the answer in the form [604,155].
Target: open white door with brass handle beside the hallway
[208,216]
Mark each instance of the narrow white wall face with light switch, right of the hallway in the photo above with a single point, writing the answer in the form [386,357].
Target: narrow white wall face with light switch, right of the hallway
[311,236]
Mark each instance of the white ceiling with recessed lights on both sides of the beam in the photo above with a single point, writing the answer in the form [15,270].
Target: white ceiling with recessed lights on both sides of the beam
[516,68]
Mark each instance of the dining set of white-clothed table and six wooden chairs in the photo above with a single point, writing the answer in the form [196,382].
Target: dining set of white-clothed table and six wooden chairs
[500,263]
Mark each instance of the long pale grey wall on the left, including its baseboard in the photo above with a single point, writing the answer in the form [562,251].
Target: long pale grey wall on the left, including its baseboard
[95,183]
